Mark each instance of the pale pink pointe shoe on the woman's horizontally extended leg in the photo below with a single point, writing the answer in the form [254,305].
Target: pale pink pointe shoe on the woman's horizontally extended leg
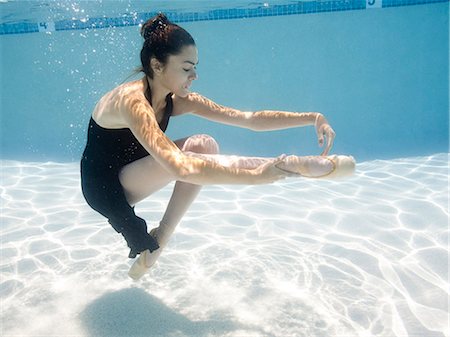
[319,167]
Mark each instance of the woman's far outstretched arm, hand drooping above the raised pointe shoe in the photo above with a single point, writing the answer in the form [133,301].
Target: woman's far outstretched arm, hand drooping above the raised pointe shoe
[264,120]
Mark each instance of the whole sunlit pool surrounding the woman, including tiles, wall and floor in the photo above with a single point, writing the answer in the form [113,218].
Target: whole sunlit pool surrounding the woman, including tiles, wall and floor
[364,256]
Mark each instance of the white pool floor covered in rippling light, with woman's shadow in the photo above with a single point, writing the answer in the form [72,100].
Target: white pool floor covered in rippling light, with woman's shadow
[366,256]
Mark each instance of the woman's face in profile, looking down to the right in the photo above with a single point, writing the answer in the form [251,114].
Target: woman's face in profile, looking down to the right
[179,71]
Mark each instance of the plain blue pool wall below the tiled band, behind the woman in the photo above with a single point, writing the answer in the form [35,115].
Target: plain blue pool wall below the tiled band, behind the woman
[380,76]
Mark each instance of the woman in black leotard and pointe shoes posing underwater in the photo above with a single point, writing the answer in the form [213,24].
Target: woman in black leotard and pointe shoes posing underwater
[128,157]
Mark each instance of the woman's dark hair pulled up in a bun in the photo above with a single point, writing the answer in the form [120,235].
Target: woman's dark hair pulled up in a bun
[162,39]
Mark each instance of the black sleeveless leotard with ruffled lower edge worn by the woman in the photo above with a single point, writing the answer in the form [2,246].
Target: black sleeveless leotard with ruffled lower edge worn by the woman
[107,152]
